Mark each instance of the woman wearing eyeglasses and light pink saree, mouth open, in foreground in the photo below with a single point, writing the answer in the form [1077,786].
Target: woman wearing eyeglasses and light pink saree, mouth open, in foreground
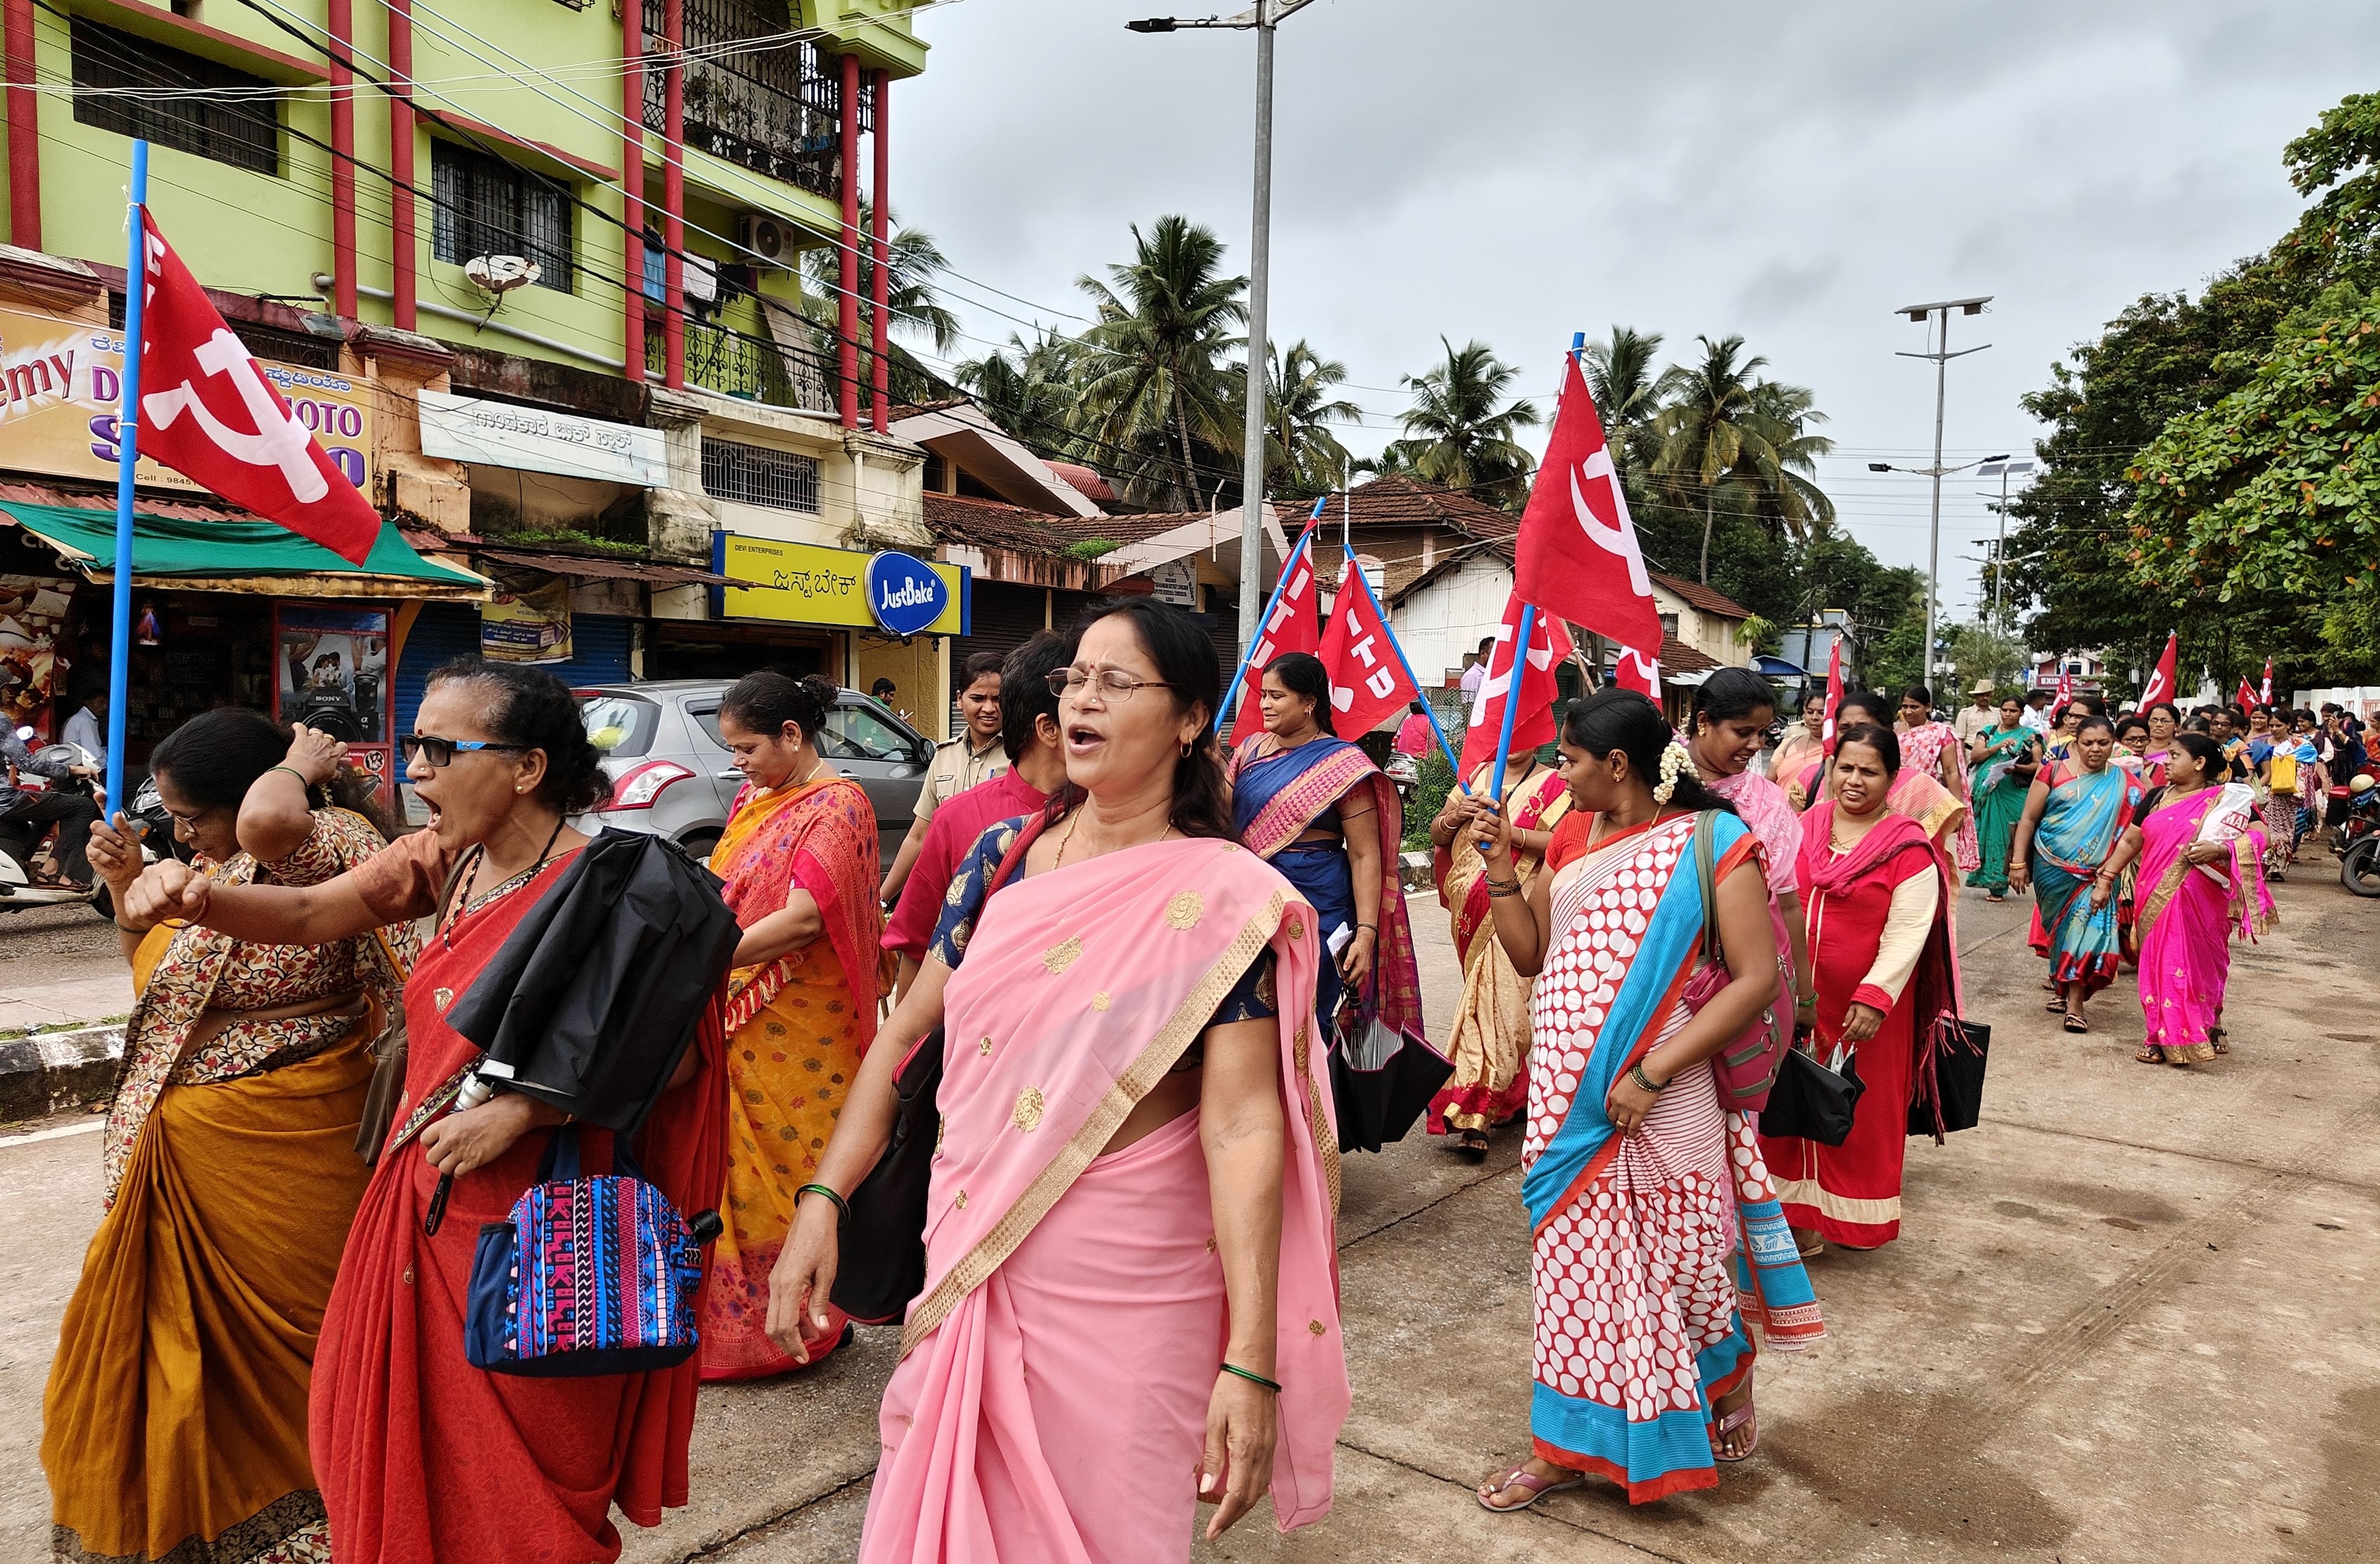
[1132,1287]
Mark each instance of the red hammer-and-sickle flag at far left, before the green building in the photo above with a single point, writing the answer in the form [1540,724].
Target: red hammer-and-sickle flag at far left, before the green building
[213,415]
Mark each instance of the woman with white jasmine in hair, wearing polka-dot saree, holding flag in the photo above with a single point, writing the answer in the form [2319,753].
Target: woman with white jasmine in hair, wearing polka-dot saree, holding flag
[1658,1237]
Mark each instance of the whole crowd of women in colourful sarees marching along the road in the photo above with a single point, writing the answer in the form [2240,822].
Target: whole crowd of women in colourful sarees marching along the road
[1067,1113]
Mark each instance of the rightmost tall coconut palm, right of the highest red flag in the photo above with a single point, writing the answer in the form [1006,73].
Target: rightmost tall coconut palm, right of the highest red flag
[1727,434]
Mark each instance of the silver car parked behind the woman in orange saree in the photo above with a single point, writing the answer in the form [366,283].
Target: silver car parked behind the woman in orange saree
[675,777]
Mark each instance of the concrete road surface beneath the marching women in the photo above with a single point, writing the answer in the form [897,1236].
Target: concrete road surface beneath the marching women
[2131,1320]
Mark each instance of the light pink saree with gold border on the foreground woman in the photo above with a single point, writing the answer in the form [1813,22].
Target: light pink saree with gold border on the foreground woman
[1056,1372]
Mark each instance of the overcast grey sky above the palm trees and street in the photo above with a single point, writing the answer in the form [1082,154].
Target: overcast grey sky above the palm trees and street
[1517,170]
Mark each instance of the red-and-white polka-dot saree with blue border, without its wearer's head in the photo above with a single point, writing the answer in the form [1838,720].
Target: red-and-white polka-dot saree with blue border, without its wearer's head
[1653,1251]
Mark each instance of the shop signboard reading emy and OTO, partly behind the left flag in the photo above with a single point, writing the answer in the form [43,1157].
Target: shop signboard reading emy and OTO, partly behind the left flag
[63,384]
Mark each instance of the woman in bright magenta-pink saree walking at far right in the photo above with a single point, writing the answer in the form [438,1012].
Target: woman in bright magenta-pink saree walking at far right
[2200,884]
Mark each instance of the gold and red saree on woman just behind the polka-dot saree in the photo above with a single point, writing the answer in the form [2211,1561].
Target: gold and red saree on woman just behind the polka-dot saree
[1491,1022]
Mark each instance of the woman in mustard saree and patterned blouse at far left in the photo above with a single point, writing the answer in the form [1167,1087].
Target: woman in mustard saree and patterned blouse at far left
[230,1168]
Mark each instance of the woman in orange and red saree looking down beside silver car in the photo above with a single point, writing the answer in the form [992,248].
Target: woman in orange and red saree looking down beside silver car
[798,861]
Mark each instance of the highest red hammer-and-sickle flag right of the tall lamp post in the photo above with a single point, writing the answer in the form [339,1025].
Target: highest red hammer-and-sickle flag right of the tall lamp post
[1579,556]
